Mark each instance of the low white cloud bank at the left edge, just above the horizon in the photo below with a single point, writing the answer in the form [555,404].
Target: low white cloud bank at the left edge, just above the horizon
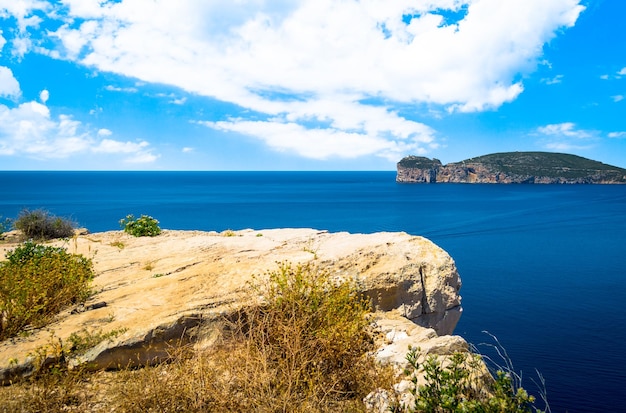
[29,130]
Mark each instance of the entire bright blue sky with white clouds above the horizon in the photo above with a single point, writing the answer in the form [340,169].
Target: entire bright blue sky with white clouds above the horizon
[306,84]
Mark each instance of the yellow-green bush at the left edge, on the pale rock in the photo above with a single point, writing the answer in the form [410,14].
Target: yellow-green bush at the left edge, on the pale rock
[37,282]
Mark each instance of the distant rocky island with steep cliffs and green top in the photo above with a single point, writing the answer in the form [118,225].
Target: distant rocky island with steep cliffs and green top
[511,168]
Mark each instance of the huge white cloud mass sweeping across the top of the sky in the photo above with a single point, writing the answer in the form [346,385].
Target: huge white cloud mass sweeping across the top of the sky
[316,73]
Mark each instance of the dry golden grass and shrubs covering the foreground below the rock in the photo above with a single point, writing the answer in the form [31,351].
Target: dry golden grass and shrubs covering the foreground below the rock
[305,347]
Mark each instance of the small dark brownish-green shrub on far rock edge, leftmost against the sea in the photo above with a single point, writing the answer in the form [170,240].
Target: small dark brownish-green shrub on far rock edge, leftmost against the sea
[41,225]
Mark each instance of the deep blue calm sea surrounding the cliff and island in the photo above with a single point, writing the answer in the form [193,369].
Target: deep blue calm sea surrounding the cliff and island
[543,266]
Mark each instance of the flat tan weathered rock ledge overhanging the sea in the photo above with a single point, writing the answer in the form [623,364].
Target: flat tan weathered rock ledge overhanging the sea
[180,284]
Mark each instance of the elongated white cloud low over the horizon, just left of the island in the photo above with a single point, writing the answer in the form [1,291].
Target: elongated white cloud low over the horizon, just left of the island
[336,129]
